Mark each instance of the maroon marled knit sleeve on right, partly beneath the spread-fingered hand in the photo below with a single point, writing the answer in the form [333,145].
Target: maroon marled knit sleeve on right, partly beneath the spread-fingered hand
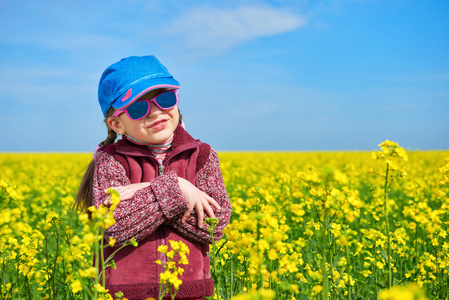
[210,180]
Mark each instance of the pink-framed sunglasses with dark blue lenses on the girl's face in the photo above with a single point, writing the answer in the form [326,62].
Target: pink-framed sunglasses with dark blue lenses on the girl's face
[141,107]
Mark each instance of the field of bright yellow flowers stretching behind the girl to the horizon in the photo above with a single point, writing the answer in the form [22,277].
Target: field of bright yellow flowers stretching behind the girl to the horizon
[305,225]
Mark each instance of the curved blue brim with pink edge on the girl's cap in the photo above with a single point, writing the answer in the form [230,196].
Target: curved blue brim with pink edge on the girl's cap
[142,87]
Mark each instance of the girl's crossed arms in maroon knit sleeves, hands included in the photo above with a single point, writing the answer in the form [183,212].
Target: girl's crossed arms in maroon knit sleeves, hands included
[166,199]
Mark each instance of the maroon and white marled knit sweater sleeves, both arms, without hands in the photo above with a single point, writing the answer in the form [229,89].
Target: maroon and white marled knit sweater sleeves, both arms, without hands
[160,203]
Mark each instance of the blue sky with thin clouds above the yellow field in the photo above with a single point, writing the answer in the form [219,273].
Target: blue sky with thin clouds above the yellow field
[255,75]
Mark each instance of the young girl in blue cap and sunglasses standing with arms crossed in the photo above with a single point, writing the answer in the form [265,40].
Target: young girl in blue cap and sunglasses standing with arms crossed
[168,181]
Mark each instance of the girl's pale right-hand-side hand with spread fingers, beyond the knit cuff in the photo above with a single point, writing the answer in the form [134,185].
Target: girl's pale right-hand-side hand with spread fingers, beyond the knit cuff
[198,200]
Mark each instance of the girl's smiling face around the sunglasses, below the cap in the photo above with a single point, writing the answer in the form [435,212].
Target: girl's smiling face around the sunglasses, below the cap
[156,127]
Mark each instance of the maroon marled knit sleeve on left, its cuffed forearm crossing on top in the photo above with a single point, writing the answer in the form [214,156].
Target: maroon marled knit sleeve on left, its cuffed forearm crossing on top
[149,207]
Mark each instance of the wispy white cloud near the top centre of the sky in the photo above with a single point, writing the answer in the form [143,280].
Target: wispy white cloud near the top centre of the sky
[220,29]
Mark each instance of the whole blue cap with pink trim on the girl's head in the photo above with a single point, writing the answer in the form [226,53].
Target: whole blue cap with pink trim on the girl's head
[129,79]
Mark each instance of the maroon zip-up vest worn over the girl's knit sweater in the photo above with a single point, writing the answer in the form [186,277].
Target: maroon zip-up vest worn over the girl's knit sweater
[137,274]
